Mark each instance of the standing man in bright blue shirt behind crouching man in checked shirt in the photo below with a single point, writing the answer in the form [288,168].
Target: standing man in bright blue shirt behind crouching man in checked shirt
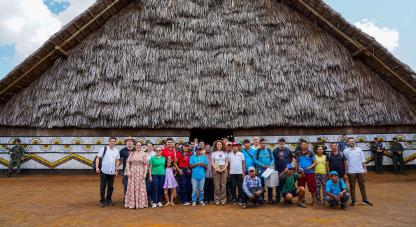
[264,159]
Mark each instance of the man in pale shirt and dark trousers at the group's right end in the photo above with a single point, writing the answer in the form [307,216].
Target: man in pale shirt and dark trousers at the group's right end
[356,169]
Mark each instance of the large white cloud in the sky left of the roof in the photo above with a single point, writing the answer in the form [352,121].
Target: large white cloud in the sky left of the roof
[27,24]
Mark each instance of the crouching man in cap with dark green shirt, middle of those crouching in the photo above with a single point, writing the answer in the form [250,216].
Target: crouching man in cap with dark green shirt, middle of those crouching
[289,190]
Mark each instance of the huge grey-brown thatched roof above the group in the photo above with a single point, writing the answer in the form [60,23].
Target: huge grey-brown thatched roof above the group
[209,63]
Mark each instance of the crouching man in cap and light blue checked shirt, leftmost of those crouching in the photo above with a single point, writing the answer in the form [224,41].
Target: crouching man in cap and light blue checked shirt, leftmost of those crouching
[252,188]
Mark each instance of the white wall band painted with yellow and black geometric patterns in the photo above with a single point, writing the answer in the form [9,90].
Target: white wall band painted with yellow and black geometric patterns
[78,152]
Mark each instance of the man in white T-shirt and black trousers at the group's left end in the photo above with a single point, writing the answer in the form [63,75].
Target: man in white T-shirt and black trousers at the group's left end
[109,157]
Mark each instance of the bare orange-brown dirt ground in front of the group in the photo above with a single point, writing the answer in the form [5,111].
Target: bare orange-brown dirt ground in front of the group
[57,200]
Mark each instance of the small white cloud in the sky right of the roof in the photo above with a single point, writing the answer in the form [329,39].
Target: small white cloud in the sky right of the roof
[387,37]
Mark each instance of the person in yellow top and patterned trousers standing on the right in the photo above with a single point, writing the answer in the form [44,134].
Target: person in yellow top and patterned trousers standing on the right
[320,173]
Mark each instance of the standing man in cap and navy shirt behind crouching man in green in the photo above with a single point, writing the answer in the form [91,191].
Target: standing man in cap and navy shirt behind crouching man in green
[282,156]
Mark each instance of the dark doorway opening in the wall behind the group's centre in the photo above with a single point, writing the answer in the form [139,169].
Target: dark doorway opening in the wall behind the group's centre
[210,135]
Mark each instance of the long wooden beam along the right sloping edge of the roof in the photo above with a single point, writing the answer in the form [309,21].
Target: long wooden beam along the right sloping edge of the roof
[358,45]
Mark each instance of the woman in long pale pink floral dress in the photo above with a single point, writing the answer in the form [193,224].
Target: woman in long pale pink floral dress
[136,195]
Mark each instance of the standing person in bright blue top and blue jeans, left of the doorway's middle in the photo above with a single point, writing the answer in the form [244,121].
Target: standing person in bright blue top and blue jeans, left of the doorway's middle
[198,164]
